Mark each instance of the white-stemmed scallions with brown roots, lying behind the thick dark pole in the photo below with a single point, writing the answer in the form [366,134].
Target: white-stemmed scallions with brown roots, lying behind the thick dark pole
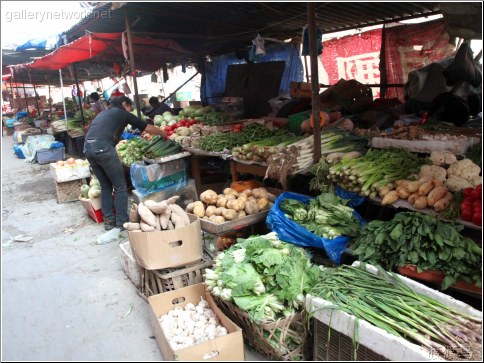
[298,157]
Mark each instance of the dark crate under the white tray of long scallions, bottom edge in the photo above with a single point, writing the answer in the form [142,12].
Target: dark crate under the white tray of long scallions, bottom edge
[330,345]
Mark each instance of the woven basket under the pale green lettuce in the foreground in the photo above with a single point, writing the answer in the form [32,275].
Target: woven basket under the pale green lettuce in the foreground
[258,335]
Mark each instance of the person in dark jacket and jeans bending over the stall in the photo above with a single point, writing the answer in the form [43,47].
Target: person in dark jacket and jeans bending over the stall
[99,148]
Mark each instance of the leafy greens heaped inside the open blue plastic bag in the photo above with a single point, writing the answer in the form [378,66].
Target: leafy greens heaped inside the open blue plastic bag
[327,215]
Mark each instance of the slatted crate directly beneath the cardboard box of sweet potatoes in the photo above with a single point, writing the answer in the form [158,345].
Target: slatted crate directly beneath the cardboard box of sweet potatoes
[155,282]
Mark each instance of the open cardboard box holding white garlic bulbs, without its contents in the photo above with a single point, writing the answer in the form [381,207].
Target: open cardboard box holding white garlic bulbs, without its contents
[229,347]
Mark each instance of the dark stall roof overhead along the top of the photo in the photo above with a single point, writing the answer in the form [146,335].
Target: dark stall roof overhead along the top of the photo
[214,28]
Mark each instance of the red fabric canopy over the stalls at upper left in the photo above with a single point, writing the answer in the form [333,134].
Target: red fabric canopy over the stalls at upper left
[150,53]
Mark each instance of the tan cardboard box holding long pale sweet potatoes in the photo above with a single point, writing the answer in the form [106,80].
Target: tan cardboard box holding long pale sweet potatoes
[166,249]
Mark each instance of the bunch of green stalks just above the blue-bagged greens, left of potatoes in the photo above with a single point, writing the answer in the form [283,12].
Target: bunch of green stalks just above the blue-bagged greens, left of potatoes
[368,174]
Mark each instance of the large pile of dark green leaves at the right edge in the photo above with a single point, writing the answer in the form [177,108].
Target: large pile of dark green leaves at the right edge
[424,241]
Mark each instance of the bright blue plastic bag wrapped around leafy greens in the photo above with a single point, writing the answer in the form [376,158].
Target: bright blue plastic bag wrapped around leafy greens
[289,231]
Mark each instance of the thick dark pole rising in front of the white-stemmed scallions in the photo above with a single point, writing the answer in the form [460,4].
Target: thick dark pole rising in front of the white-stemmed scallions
[314,81]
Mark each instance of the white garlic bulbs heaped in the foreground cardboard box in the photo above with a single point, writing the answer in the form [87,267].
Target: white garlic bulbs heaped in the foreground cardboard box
[191,325]
